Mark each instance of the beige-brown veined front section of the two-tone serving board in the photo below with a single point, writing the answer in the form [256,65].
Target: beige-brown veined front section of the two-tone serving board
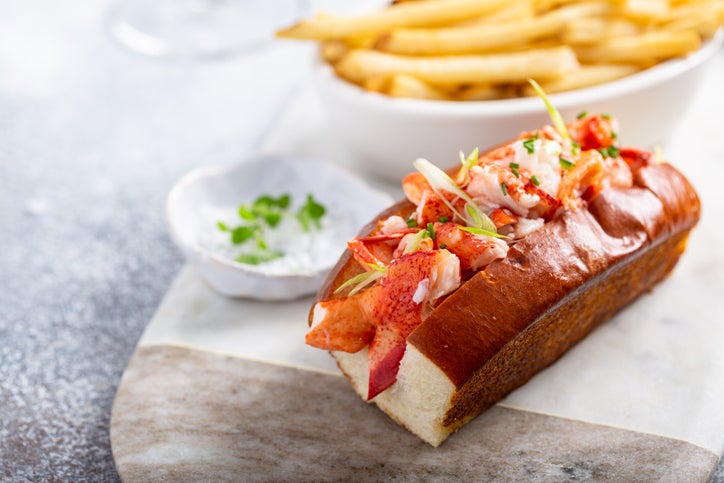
[189,415]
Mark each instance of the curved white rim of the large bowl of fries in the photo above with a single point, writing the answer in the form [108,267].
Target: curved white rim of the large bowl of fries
[632,83]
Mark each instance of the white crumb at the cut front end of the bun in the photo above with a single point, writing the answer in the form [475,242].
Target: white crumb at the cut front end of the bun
[418,400]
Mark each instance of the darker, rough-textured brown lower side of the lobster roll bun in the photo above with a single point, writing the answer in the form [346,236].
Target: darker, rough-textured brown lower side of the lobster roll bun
[556,330]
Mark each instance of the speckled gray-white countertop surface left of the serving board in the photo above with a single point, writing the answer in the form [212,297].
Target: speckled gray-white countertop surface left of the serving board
[92,136]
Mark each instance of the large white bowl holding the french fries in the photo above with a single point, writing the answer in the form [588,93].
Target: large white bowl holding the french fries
[384,135]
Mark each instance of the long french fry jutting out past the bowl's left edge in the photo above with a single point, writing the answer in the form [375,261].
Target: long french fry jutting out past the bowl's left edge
[405,14]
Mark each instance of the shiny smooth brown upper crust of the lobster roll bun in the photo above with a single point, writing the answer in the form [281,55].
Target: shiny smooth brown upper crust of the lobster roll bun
[483,315]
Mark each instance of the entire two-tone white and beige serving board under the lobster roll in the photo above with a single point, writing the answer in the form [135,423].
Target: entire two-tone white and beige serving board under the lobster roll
[225,390]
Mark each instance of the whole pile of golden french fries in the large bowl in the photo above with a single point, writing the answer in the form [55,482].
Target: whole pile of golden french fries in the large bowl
[488,49]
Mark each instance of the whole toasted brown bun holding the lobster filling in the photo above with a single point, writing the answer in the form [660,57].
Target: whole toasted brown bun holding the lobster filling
[521,313]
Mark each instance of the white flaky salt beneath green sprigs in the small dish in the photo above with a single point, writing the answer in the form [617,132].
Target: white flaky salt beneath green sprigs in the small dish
[304,252]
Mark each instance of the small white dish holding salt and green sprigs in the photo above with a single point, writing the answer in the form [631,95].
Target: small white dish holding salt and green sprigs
[199,199]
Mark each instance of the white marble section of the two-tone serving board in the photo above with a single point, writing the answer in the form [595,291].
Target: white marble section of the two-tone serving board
[655,368]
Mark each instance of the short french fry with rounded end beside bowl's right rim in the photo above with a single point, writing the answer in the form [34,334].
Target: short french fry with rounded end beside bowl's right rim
[642,49]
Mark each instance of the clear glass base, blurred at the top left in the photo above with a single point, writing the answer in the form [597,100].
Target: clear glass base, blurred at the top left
[199,28]
